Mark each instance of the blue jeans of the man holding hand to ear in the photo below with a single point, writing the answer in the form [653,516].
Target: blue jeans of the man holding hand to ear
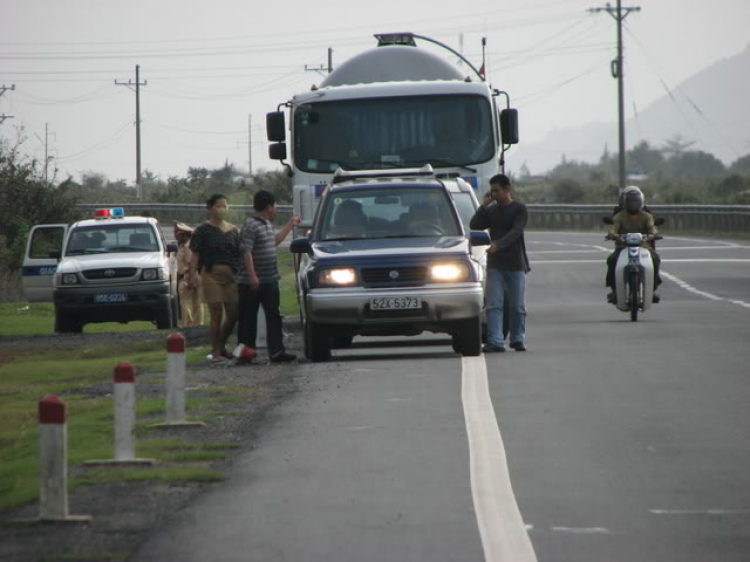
[497,285]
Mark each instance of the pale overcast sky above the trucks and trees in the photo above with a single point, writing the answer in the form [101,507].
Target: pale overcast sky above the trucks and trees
[212,70]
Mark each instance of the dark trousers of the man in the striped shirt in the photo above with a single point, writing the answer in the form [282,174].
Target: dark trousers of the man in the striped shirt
[268,296]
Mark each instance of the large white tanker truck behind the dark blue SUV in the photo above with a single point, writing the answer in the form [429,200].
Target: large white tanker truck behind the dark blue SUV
[395,106]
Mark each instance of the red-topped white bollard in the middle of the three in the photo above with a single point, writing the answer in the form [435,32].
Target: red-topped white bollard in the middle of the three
[124,417]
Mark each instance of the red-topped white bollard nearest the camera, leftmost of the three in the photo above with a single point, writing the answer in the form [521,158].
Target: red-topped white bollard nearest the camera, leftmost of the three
[53,462]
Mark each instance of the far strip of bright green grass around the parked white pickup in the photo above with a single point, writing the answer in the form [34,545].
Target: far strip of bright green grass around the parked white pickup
[38,318]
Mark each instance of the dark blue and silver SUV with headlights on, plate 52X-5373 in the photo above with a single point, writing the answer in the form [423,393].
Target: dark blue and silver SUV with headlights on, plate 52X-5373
[390,254]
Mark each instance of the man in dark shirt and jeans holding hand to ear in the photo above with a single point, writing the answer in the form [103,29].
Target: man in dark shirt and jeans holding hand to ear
[507,264]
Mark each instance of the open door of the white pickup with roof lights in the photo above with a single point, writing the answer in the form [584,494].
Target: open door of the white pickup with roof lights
[43,250]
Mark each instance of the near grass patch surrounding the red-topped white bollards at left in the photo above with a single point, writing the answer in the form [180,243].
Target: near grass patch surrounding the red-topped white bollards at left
[25,377]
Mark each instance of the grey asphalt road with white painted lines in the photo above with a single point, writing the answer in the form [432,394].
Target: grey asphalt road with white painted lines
[607,440]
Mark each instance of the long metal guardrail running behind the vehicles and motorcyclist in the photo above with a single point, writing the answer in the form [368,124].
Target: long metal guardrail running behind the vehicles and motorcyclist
[707,218]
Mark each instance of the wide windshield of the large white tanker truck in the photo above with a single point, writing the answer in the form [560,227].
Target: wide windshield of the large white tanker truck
[379,133]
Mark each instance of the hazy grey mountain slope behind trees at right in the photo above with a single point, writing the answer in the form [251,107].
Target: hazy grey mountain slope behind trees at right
[711,108]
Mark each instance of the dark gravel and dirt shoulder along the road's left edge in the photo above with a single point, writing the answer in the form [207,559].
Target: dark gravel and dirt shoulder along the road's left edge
[126,514]
